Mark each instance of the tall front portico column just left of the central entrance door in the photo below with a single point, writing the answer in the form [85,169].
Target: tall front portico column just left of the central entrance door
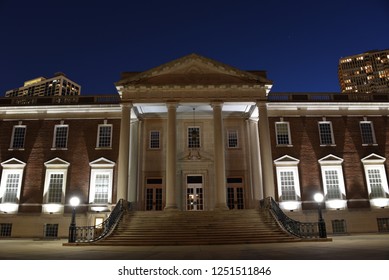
[171,155]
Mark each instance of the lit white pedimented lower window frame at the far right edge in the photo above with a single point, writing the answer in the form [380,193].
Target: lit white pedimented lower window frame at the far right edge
[376,162]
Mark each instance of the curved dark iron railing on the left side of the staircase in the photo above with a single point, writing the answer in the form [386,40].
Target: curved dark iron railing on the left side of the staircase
[87,234]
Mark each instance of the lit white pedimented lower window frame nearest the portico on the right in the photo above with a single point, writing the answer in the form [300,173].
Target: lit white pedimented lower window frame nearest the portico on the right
[288,164]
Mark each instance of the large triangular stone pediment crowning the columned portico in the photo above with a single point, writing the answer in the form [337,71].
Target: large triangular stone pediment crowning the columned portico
[193,69]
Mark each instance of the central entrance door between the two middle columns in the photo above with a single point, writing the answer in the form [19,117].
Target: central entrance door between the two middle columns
[194,193]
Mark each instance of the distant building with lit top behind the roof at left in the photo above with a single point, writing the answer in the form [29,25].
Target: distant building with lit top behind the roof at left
[59,85]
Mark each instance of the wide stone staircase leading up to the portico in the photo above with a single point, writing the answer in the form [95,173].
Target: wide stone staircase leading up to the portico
[146,228]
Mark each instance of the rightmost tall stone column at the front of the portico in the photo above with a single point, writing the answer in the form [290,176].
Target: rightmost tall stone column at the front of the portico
[265,149]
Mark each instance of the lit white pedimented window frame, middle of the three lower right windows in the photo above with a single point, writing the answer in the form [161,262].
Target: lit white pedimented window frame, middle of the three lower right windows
[333,163]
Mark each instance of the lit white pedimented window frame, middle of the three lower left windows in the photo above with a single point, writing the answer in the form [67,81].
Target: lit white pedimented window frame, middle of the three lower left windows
[54,166]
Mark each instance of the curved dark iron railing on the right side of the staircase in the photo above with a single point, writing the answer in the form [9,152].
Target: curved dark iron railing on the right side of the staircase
[296,228]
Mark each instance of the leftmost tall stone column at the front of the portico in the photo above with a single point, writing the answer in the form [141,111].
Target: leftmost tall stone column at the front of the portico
[124,152]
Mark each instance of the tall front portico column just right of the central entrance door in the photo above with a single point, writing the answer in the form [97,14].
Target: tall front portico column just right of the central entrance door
[220,167]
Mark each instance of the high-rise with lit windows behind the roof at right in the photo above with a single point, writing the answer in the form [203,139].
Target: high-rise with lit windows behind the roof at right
[365,73]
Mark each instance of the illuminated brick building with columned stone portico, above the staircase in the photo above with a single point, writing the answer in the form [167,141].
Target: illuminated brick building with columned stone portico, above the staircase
[193,135]
